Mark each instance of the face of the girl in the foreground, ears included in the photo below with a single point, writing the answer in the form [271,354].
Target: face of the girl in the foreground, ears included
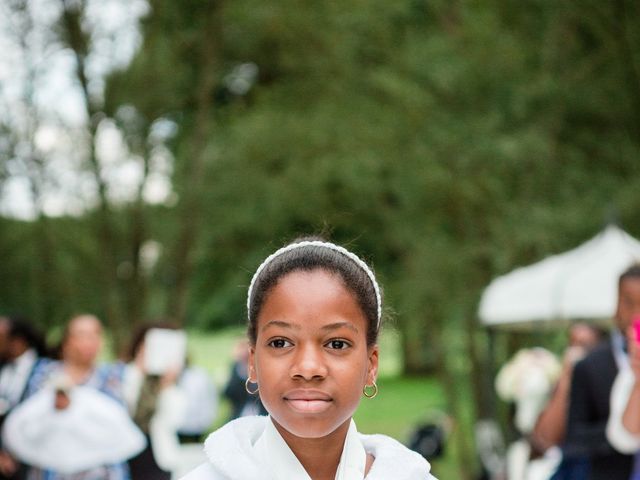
[311,358]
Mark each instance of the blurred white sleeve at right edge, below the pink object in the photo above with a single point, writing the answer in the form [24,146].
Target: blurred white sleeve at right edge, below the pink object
[619,437]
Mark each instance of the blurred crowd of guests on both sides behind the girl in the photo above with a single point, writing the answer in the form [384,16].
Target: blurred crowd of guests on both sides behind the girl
[66,416]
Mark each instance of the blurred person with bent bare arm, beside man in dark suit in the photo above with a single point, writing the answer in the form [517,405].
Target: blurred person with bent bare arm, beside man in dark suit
[551,426]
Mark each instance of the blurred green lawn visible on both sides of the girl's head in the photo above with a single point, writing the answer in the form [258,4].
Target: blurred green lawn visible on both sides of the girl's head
[401,404]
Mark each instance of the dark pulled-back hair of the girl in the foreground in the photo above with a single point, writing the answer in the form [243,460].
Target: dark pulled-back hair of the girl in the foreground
[308,258]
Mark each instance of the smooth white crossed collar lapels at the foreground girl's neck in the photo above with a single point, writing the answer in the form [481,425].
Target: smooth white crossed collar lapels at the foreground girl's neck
[283,464]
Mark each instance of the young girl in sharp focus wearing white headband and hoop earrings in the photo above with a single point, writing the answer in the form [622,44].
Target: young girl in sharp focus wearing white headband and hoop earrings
[314,313]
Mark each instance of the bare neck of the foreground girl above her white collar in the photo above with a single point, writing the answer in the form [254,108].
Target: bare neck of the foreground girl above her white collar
[319,456]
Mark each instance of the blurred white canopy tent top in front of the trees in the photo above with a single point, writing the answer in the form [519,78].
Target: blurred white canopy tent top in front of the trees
[579,284]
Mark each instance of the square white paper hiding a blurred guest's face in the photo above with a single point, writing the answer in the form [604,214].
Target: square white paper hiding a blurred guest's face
[164,350]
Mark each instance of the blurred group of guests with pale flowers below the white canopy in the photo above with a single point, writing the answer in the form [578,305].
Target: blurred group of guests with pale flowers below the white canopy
[578,417]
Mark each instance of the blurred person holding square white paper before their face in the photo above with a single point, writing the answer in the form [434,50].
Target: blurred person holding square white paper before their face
[163,403]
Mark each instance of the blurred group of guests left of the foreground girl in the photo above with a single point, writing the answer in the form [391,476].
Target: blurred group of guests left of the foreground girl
[66,416]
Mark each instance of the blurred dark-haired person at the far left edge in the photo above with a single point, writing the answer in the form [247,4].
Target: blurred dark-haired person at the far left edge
[22,348]
